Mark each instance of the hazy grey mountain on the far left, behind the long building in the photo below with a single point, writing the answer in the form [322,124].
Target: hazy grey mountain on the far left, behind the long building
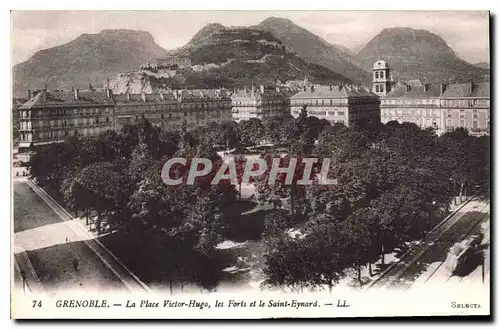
[90,58]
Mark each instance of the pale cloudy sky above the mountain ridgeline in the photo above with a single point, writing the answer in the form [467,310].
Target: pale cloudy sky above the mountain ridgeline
[467,32]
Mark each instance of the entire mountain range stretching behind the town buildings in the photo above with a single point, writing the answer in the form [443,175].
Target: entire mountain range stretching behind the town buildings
[274,49]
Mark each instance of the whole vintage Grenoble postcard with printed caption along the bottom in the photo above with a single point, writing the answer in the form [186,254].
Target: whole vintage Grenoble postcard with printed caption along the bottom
[249,165]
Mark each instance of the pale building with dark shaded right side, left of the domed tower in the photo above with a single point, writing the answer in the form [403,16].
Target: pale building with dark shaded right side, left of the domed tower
[337,104]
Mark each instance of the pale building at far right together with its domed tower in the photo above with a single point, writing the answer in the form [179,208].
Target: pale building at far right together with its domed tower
[441,107]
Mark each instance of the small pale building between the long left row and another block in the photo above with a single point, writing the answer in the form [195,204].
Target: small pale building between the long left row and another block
[263,104]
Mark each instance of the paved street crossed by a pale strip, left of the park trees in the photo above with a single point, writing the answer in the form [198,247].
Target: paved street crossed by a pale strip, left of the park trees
[45,246]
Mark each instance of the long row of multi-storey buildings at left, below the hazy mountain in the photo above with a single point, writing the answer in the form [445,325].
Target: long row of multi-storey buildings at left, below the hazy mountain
[53,116]
